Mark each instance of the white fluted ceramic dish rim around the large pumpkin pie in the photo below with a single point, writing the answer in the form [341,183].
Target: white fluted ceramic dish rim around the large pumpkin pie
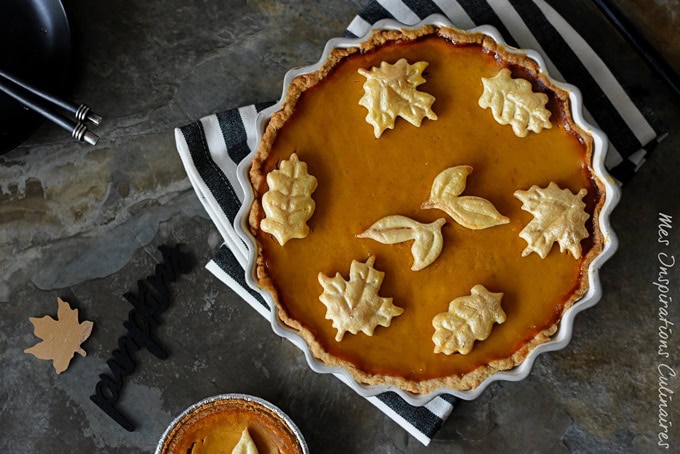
[558,341]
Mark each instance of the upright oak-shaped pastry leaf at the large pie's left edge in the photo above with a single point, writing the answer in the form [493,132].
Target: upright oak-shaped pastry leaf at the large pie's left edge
[288,203]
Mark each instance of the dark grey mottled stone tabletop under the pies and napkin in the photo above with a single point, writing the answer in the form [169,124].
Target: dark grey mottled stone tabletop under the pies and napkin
[83,223]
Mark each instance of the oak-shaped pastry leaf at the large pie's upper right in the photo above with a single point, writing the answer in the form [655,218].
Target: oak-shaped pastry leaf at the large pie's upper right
[513,102]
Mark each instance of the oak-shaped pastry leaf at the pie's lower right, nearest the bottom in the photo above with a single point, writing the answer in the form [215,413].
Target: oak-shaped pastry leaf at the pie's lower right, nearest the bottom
[468,319]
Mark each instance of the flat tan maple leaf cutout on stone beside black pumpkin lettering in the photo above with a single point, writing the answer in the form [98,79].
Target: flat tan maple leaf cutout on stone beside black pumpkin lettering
[61,338]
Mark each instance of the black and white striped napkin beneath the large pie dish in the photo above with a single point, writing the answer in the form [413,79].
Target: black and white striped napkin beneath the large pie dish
[212,147]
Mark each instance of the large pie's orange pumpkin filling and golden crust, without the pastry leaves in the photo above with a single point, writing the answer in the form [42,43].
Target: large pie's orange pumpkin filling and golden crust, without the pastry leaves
[361,179]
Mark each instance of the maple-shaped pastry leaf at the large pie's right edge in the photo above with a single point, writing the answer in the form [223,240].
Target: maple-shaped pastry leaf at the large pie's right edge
[559,216]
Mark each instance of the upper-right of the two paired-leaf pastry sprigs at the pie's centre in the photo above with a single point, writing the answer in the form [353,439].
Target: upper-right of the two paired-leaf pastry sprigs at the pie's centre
[471,212]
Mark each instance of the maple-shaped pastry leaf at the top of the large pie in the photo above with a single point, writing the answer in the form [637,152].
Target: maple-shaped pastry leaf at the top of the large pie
[390,91]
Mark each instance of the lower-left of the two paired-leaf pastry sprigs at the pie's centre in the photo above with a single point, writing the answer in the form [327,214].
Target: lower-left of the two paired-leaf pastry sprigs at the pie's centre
[427,238]
